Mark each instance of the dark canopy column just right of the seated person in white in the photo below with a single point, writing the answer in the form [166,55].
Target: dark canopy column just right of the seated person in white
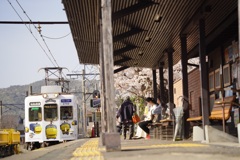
[170,79]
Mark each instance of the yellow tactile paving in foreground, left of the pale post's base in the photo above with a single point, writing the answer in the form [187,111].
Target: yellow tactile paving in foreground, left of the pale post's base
[88,151]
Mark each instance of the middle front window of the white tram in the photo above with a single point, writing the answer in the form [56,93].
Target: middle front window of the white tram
[50,112]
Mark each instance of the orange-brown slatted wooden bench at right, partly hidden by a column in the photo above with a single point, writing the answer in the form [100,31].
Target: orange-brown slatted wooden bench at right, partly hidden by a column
[221,111]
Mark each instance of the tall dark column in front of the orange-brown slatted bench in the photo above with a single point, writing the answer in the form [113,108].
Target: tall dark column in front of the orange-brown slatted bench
[204,75]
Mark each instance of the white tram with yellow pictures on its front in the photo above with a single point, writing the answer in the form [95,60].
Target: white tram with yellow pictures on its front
[50,117]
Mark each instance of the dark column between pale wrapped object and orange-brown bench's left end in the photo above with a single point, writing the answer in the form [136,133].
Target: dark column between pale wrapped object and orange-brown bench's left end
[184,60]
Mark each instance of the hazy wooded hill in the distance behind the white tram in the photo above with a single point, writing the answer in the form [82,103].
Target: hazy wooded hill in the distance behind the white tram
[13,99]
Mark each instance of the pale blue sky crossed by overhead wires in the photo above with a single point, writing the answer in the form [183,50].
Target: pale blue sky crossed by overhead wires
[20,54]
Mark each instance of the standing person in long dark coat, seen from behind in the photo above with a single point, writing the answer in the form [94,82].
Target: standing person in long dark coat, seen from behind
[125,113]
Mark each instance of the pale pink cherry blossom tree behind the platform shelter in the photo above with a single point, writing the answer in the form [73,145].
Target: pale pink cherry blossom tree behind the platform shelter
[138,82]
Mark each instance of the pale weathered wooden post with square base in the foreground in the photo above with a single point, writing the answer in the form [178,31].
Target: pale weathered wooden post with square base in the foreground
[112,138]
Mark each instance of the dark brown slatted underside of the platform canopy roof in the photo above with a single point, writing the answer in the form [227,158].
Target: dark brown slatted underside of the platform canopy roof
[144,29]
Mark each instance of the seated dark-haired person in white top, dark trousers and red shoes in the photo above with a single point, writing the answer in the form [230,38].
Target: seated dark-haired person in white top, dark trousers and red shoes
[154,110]
